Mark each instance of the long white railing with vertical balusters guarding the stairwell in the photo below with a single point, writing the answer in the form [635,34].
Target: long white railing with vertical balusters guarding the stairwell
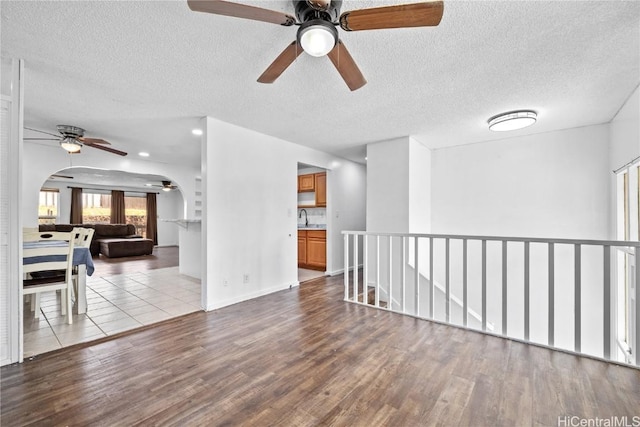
[501,282]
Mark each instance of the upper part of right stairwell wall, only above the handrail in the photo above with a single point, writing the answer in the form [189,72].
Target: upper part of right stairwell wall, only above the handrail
[553,184]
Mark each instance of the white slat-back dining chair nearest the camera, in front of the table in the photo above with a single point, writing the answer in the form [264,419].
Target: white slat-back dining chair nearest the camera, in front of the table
[49,268]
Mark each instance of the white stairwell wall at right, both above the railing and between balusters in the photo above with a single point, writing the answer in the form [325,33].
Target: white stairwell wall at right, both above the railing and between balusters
[554,184]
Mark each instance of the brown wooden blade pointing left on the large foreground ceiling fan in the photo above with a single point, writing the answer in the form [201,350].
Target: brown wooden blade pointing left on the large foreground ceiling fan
[226,8]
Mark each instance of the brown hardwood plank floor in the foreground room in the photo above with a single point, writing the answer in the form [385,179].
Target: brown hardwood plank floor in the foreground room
[305,357]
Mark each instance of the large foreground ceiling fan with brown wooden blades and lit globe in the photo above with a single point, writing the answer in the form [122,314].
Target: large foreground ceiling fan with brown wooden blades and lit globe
[317,34]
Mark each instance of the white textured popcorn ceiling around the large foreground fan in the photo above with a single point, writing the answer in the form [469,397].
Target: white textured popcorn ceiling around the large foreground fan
[141,74]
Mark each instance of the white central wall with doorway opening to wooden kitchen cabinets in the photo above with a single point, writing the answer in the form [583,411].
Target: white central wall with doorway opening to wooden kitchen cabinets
[250,216]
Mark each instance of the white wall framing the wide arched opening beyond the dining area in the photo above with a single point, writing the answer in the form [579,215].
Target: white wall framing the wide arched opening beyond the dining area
[40,161]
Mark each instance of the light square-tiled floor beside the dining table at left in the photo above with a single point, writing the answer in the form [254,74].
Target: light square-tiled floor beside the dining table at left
[114,304]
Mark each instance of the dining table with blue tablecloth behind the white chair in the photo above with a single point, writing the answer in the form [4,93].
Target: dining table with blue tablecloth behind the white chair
[81,258]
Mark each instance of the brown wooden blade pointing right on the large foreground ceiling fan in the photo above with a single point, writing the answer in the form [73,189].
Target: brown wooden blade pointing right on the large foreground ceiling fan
[425,14]
